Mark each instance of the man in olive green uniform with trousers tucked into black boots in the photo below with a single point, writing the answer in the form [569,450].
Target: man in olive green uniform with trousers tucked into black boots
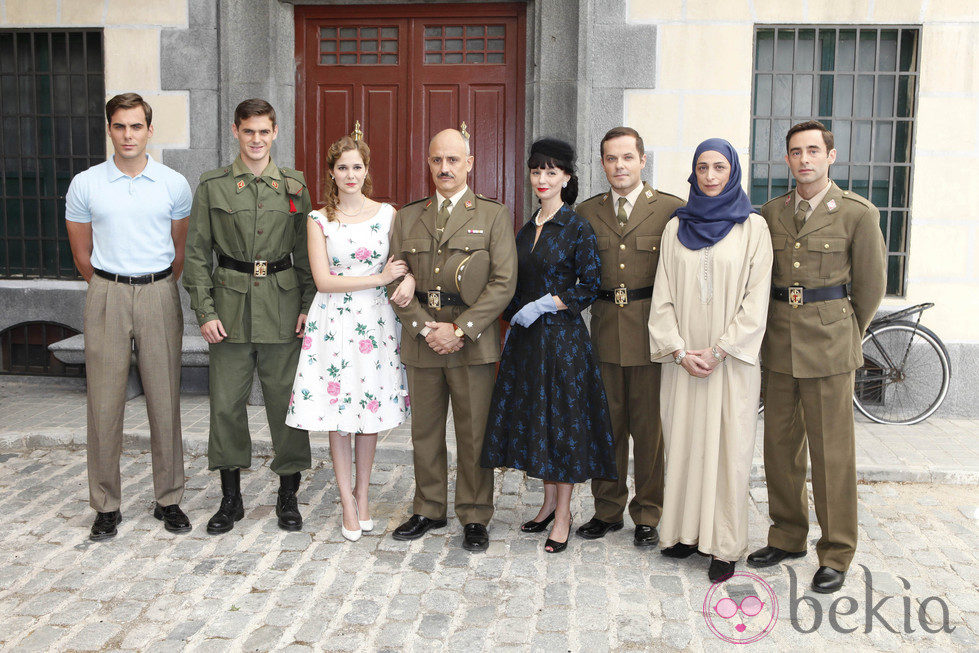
[252,306]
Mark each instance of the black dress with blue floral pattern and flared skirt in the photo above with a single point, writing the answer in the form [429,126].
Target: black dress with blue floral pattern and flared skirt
[549,415]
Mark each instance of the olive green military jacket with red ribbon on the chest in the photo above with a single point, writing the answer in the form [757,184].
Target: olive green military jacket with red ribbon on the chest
[249,218]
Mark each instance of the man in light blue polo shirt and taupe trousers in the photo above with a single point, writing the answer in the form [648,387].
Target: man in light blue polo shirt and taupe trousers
[127,225]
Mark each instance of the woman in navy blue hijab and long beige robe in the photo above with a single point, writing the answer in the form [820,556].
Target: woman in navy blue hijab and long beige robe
[710,305]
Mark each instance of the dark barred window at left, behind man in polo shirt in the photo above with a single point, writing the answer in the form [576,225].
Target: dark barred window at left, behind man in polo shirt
[52,98]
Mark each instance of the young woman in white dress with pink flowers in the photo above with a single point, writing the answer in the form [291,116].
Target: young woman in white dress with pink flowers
[350,379]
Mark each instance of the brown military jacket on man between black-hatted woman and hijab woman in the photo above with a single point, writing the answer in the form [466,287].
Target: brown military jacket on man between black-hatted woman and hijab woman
[630,253]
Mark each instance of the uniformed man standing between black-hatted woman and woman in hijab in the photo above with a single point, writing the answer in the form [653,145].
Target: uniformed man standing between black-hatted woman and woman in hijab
[628,221]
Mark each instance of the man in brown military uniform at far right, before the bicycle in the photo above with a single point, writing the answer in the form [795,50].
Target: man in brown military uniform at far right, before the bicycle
[823,239]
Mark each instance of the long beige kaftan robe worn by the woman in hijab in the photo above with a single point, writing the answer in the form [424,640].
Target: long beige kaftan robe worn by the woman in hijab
[714,296]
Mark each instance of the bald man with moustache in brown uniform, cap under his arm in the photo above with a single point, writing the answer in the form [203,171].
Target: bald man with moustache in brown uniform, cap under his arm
[450,348]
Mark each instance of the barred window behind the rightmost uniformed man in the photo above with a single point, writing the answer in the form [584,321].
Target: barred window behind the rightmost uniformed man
[862,83]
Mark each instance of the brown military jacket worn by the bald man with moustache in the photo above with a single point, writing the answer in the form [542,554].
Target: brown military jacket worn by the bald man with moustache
[475,223]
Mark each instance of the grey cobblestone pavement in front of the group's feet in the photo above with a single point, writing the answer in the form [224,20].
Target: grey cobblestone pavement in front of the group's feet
[259,588]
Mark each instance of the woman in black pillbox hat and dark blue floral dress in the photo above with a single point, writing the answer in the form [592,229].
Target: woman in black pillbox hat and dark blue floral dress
[549,415]
